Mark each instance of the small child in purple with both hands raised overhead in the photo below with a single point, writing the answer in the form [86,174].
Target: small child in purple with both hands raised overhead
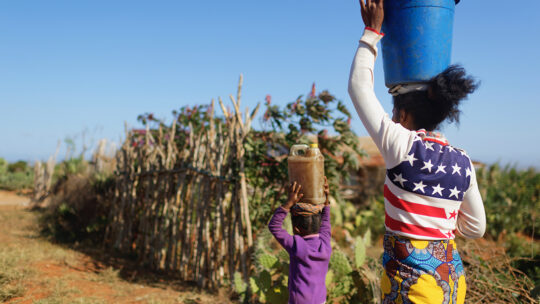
[309,248]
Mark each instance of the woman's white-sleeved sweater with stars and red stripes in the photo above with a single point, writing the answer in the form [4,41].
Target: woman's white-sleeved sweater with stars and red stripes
[430,191]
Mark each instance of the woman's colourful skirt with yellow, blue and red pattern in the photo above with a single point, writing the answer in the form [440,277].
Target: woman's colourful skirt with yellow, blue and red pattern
[418,271]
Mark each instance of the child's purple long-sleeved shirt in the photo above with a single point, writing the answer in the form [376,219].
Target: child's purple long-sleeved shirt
[309,258]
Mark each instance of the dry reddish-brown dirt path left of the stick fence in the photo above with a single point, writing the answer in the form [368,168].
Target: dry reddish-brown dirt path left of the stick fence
[34,270]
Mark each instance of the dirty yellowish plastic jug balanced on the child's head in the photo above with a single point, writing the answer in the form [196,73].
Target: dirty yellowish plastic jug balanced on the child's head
[306,167]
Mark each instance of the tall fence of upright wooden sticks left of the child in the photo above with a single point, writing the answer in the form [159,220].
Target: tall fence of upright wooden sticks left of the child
[184,208]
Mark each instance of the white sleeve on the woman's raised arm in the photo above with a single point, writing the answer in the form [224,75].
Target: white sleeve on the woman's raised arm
[392,139]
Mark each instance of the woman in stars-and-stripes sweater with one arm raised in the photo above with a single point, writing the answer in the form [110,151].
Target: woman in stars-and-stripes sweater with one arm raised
[430,191]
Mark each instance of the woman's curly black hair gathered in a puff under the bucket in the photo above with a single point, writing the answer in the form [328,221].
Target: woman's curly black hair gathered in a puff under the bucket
[441,101]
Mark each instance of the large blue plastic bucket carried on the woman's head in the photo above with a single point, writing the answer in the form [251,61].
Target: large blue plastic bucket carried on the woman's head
[418,39]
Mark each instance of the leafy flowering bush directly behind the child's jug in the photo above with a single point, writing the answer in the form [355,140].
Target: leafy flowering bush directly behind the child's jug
[316,118]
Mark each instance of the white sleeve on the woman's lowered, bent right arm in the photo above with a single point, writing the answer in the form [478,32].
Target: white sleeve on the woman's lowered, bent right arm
[471,221]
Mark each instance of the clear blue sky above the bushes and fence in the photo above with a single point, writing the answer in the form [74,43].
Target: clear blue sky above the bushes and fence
[69,66]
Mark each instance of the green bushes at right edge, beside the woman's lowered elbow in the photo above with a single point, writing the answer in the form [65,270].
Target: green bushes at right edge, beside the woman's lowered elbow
[512,201]
